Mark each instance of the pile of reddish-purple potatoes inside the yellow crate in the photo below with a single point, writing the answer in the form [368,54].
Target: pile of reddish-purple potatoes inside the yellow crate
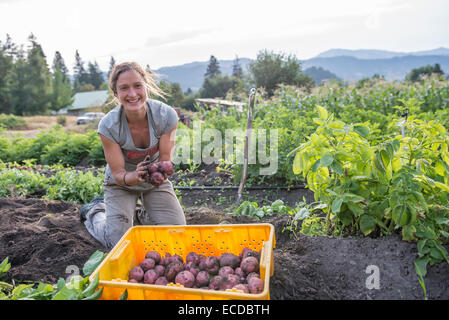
[228,271]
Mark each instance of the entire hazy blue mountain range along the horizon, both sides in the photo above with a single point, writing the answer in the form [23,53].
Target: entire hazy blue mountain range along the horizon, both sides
[348,65]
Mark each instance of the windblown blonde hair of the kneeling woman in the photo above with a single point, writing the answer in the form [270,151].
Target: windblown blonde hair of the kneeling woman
[148,76]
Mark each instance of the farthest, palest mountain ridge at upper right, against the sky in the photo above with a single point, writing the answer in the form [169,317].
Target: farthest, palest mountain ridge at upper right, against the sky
[380,54]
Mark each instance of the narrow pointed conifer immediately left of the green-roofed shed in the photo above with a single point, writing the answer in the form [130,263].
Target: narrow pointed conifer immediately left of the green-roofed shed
[62,89]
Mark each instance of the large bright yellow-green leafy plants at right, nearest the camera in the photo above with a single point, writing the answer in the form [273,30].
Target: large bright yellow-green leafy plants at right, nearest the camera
[391,187]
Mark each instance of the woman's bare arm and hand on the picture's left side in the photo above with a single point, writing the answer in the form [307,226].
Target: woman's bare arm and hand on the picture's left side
[114,157]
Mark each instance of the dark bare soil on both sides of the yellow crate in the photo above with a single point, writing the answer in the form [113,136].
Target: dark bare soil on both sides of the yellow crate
[44,240]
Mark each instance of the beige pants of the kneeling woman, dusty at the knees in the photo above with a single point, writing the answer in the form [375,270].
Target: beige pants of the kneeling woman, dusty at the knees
[109,224]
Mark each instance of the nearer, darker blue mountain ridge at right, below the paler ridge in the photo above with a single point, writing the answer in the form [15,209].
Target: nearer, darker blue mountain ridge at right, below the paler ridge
[351,68]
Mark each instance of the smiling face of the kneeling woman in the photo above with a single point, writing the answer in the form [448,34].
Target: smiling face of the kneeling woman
[131,91]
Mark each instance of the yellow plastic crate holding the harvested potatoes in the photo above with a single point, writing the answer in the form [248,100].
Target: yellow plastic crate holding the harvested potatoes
[202,239]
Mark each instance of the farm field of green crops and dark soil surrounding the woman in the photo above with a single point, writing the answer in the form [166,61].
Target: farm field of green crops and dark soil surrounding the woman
[372,223]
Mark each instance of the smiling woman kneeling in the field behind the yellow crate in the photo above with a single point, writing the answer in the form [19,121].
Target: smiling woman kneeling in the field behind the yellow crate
[138,127]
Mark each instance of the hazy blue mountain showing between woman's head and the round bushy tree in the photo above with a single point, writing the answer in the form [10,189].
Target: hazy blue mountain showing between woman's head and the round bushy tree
[191,75]
